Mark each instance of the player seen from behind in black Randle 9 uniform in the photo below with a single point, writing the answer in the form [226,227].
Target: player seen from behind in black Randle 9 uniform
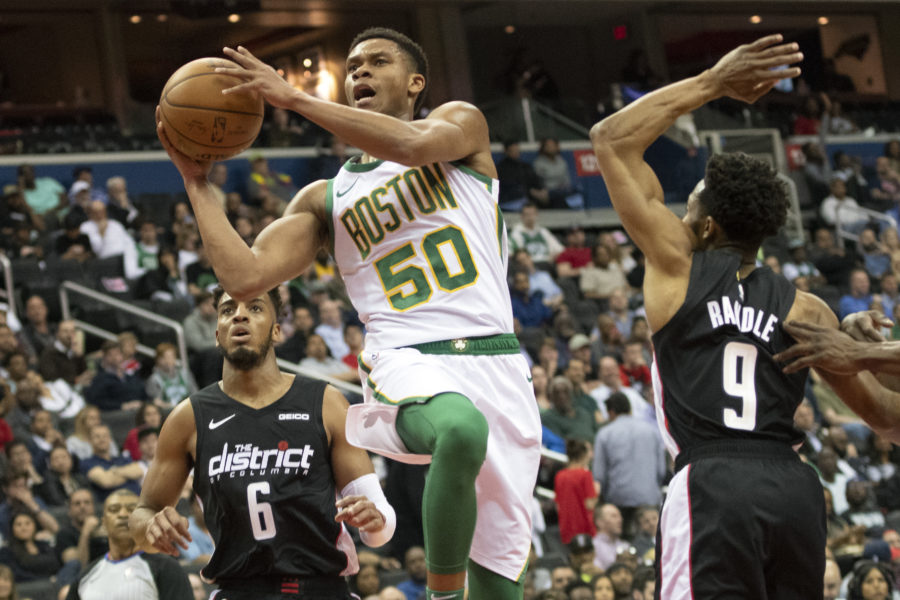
[744,517]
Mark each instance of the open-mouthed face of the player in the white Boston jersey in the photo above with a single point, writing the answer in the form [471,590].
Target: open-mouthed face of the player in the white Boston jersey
[379,78]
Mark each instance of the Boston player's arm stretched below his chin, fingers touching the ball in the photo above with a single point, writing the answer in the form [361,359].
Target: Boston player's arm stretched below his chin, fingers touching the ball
[453,131]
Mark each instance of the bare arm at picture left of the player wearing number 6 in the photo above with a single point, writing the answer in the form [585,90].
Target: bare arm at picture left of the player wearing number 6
[155,524]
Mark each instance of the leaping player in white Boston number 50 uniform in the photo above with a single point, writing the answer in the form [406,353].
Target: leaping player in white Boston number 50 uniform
[415,230]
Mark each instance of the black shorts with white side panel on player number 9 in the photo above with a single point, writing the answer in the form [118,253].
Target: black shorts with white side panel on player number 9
[742,520]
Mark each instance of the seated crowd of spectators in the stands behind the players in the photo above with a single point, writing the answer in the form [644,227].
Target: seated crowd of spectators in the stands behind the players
[80,418]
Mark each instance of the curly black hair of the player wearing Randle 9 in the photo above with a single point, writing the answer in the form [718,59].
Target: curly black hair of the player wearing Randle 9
[745,197]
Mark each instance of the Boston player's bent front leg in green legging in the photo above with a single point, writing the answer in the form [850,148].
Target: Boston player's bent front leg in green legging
[454,433]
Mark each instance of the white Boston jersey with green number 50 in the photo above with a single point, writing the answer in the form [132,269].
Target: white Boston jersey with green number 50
[422,251]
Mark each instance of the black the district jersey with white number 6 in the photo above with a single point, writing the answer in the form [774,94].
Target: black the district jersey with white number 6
[265,481]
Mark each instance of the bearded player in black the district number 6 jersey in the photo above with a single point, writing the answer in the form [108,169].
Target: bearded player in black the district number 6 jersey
[269,455]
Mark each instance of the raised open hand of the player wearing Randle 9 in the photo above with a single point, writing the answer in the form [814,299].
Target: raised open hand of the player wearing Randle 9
[746,73]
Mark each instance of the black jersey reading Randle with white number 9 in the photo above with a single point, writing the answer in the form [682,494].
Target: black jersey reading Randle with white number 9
[716,377]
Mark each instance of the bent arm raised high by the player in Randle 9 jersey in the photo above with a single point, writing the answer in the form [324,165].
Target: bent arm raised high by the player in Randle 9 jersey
[621,139]
